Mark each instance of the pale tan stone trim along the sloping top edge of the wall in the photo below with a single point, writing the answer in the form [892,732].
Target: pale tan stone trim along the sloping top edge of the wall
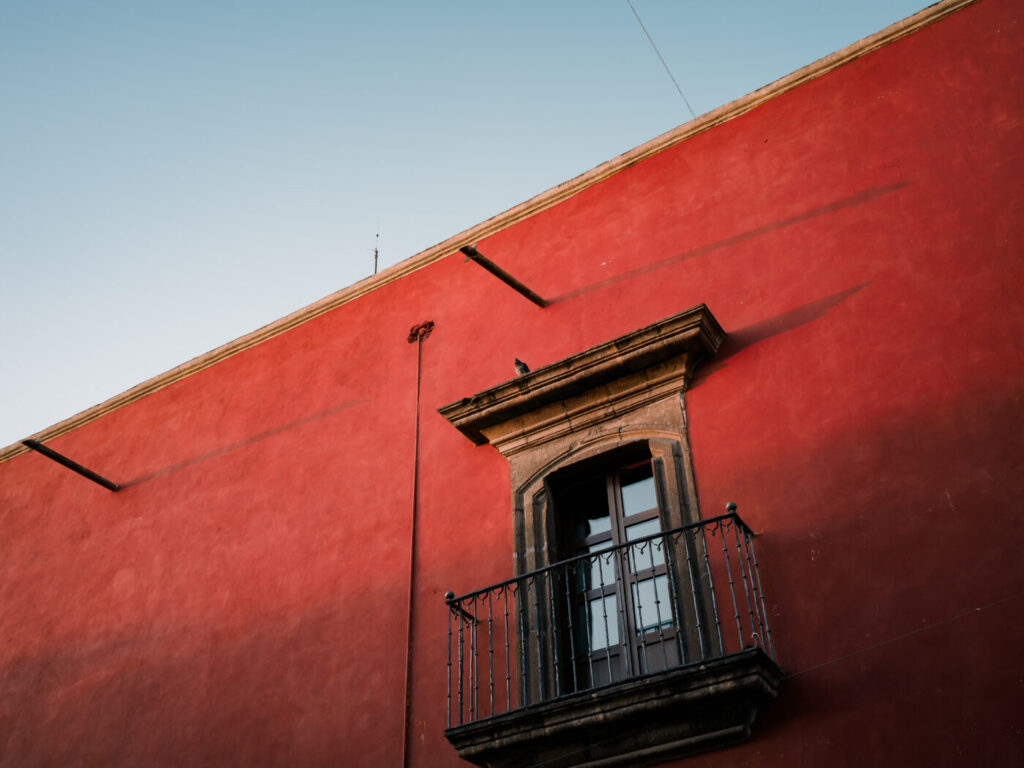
[536,204]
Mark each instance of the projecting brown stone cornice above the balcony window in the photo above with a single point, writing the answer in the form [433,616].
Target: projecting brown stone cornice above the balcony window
[596,386]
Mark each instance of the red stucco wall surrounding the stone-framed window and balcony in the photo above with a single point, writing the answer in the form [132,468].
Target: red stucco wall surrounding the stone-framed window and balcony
[244,601]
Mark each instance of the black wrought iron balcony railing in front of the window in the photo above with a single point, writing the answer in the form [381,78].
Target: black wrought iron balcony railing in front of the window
[660,603]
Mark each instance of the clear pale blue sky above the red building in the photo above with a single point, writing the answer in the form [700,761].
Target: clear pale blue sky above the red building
[175,176]
